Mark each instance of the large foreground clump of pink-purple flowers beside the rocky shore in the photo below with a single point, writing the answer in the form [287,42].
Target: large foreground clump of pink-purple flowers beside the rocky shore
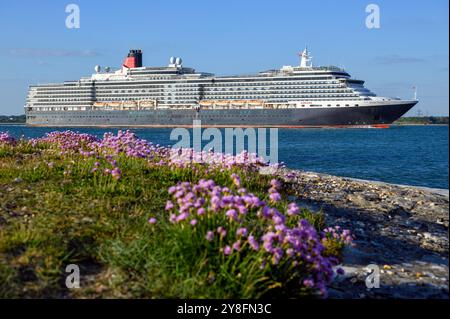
[238,222]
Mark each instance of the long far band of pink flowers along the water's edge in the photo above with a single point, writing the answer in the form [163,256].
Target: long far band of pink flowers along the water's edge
[128,144]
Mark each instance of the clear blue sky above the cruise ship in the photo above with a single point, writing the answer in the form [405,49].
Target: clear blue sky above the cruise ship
[230,37]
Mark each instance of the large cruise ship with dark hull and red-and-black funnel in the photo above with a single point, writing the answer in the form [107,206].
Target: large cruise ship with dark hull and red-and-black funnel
[175,95]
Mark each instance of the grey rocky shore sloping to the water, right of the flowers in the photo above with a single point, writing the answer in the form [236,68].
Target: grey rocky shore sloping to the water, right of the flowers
[401,229]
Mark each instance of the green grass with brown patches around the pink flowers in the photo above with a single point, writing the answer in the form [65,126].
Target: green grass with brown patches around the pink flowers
[54,211]
